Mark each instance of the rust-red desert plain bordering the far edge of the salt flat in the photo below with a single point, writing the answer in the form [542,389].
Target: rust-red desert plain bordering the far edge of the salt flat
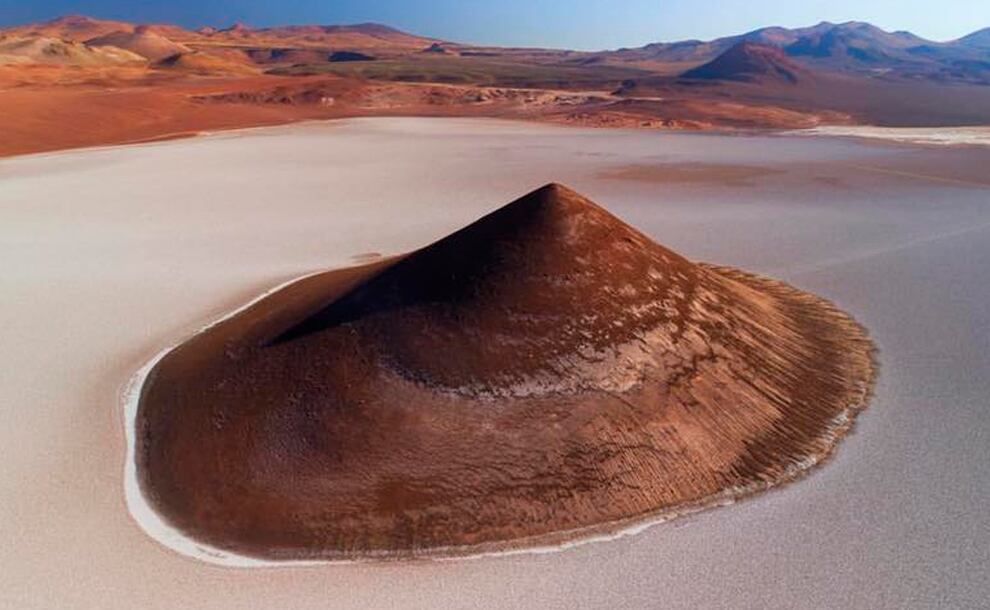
[44,108]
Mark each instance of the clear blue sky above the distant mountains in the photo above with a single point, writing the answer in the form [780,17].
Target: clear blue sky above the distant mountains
[588,24]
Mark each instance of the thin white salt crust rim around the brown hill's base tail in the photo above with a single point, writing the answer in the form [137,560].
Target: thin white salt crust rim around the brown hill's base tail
[170,537]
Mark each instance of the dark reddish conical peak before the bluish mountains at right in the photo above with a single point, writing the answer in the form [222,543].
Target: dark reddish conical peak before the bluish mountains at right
[749,61]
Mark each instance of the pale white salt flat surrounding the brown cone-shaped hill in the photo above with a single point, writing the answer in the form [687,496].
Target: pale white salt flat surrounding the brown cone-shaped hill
[112,254]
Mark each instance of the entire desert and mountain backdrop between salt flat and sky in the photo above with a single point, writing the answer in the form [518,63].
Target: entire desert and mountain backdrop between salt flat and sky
[62,80]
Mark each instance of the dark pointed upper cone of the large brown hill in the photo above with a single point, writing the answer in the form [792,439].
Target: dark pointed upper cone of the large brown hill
[549,293]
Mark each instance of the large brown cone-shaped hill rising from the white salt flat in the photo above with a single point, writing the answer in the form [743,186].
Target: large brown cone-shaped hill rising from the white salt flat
[545,372]
